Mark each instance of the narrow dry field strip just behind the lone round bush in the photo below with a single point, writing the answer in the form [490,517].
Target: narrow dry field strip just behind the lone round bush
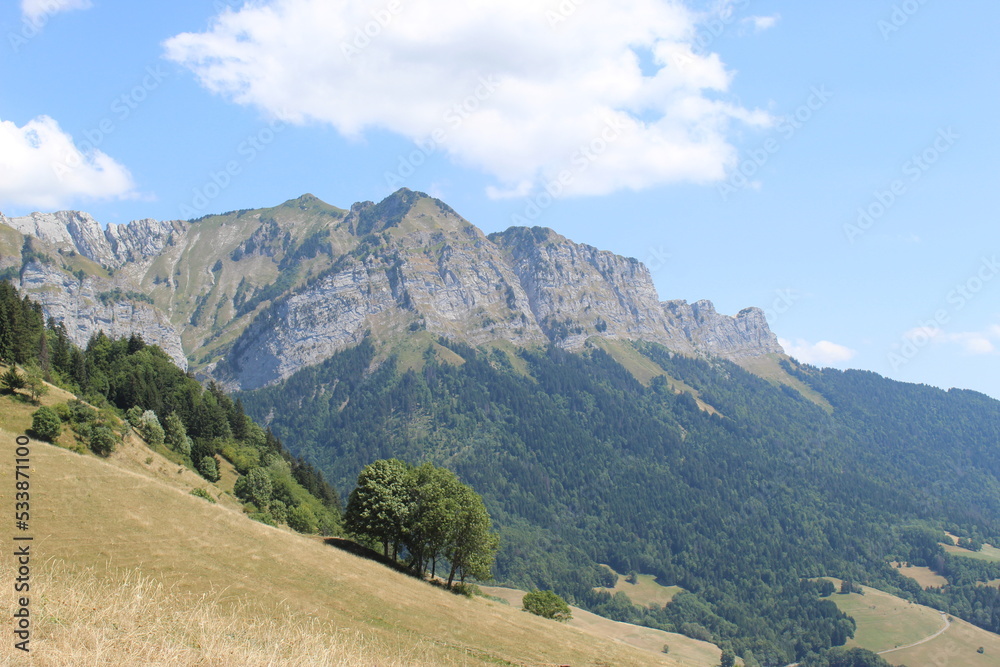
[683,650]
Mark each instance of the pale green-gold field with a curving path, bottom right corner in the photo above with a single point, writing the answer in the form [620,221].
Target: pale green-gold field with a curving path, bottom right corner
[886,622]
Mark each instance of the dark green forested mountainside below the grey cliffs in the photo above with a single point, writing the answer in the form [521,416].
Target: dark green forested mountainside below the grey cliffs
[581,464]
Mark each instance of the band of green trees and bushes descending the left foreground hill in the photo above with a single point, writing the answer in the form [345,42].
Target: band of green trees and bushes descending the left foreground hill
[172,411]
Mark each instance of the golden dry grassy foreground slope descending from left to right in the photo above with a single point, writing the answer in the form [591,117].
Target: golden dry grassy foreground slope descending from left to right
[113,521]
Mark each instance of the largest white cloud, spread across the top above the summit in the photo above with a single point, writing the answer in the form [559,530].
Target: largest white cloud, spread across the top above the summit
[611,96]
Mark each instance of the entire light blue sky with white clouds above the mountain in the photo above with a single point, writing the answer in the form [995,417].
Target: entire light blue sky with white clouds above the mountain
[832,163]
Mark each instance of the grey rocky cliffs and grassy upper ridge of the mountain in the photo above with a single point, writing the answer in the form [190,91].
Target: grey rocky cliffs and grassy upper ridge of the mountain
[257,295]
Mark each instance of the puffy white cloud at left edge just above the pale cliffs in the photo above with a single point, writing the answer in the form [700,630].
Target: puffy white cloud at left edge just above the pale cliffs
[41,167]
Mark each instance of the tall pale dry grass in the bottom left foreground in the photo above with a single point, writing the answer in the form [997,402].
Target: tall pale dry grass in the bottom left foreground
[127,618]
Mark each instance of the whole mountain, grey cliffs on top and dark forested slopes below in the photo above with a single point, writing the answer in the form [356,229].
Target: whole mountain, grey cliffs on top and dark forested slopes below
[602,426]
